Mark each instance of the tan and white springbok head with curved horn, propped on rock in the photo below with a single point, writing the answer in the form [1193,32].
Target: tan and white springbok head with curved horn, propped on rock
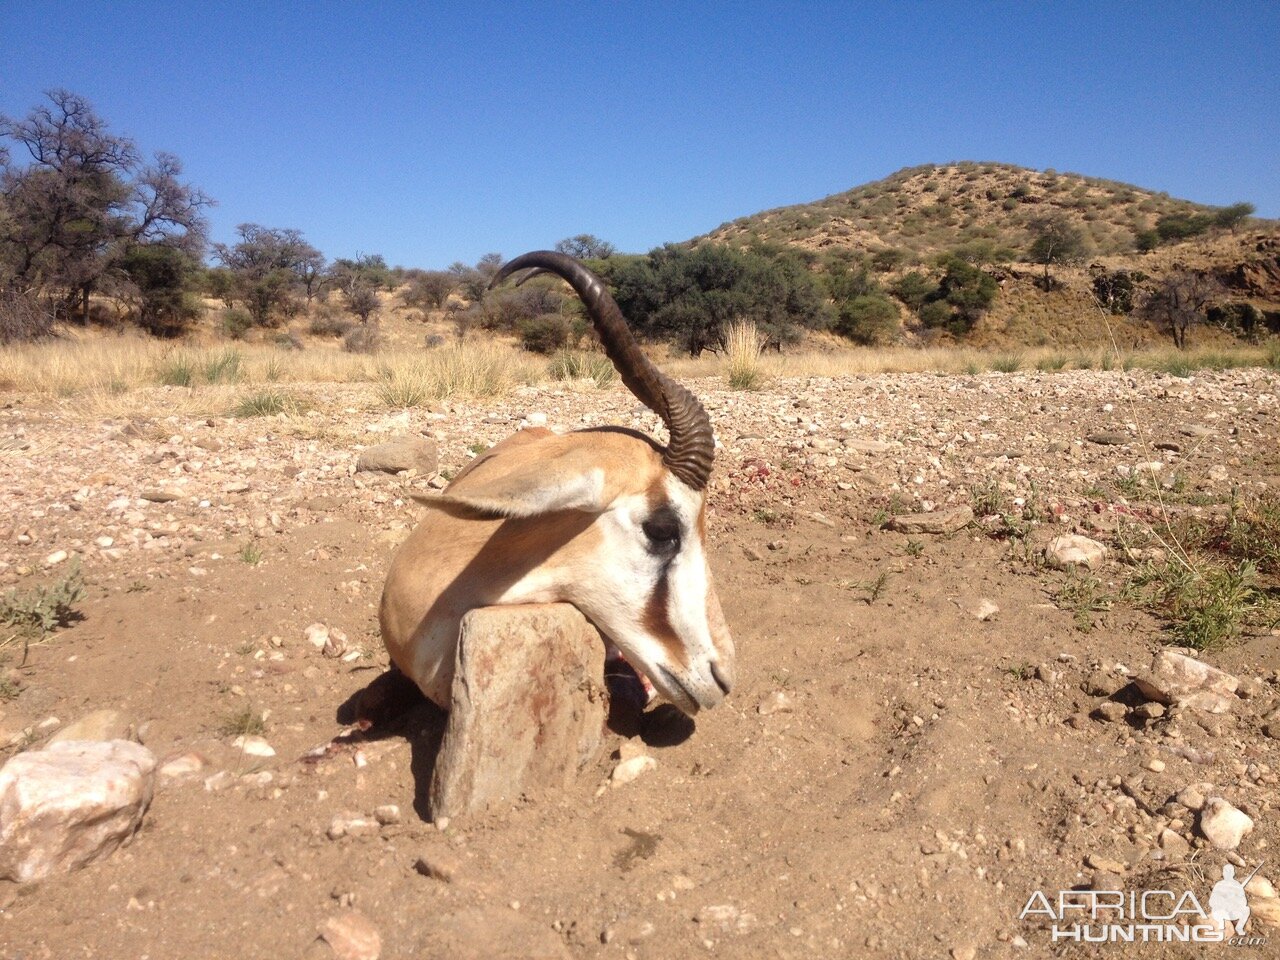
[605,519]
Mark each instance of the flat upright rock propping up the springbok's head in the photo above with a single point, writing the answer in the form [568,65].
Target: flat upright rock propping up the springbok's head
[528,708]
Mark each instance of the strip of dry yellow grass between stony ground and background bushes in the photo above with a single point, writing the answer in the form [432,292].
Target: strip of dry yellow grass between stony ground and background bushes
[116,376]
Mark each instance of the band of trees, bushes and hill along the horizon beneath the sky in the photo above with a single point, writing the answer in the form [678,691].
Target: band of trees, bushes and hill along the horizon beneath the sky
[985,255]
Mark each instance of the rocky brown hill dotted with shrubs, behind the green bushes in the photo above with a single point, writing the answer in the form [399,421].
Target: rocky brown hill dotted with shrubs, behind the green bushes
[989,213]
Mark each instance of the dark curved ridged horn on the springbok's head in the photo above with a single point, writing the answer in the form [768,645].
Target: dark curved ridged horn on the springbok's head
[692,447]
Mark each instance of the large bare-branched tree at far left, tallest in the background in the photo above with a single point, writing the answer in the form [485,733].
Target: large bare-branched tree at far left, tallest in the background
[83,200]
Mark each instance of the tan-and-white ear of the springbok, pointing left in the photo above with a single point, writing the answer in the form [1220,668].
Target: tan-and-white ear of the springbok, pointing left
[508,487]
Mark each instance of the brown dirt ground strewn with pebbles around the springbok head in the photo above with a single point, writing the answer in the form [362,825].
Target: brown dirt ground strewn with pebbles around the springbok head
[893,776]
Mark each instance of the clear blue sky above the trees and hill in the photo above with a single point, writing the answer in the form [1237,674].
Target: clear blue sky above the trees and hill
[432,132]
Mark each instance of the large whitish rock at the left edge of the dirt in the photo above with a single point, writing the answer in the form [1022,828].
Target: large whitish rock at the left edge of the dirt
[71,804]
